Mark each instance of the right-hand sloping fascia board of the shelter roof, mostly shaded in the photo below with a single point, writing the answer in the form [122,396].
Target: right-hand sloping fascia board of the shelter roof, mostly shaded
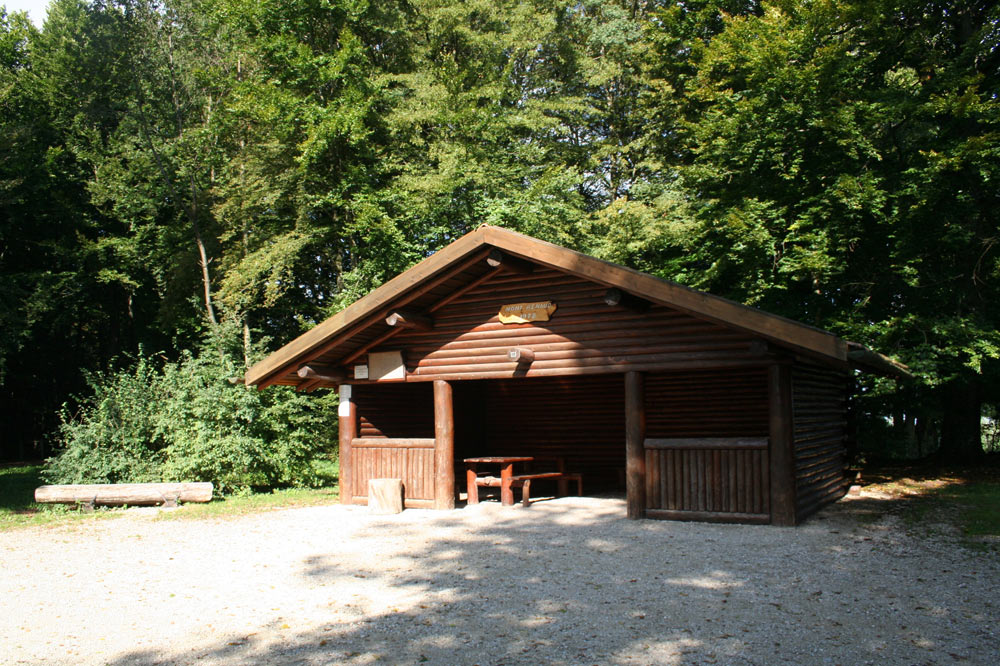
[697,303]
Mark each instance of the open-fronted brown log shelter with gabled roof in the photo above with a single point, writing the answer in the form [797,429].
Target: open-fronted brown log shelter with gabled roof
[501,344]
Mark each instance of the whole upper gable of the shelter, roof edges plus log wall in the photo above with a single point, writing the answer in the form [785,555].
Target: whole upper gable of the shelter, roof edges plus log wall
[440,312]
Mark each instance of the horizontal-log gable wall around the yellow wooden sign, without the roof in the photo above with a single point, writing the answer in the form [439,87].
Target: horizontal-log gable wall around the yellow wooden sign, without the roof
[466,338]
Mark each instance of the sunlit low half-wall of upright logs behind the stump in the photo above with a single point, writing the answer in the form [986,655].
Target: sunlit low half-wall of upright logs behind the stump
[411,460]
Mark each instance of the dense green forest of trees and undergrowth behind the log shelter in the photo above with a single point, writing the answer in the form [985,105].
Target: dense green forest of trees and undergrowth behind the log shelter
[185,185]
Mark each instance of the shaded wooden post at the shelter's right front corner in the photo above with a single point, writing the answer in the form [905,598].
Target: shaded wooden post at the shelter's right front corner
[782,436]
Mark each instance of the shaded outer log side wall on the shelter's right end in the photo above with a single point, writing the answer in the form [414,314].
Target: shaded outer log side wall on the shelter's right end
[819,405]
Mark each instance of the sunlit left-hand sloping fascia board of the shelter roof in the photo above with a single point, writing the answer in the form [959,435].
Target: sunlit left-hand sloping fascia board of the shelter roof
[298,349]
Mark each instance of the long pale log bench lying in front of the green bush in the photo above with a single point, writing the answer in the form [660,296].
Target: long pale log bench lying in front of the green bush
[120,494]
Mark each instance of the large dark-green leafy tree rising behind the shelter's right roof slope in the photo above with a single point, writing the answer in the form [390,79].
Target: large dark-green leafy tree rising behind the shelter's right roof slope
[843,167]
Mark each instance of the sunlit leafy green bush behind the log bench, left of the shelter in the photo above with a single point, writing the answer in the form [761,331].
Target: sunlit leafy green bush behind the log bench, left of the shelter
[188,422]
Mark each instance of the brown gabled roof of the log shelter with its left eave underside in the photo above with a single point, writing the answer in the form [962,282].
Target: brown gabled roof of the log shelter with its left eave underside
[362,324]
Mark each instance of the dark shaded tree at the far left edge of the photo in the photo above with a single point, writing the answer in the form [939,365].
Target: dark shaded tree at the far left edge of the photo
[55,312]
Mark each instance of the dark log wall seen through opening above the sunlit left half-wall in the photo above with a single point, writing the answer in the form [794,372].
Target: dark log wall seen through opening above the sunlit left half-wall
[395,410]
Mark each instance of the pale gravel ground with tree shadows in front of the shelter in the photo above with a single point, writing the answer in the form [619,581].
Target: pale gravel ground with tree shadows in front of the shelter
[566,581]
